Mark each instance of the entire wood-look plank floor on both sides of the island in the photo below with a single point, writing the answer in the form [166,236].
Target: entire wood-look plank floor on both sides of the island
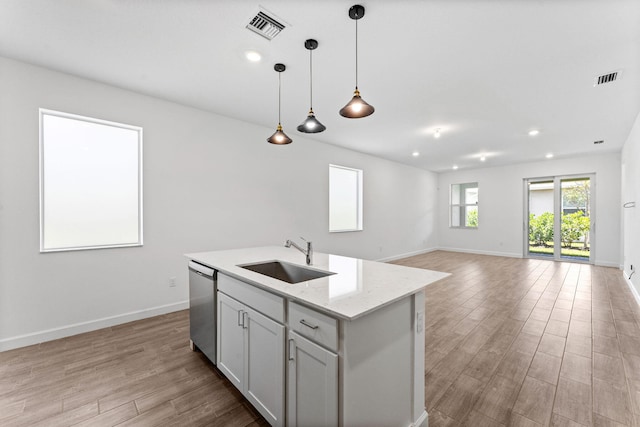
[510,342]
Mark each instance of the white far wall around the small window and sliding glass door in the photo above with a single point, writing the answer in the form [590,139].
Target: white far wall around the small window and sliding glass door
[501,205]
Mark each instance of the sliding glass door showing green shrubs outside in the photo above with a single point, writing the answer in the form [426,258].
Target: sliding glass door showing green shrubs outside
[560,218]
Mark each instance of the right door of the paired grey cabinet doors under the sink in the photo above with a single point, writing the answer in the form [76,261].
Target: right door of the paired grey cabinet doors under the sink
[265,366]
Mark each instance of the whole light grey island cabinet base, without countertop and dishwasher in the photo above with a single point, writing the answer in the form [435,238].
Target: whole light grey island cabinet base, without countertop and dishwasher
[364,371]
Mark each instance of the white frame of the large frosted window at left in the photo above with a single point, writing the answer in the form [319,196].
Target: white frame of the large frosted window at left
[44,248]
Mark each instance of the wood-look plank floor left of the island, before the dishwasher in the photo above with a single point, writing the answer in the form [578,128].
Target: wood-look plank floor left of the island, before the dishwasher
[137,374]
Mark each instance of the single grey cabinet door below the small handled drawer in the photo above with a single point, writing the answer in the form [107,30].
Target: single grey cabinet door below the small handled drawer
[312,392]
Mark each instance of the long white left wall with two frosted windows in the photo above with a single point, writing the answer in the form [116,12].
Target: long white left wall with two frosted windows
[209,183]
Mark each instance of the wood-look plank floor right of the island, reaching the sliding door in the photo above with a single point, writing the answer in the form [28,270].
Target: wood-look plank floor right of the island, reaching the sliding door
[521,342]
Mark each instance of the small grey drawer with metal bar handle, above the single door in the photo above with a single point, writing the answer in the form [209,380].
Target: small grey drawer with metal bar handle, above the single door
[314,325]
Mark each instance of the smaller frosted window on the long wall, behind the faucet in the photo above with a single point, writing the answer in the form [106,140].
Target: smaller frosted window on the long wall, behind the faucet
[345,199]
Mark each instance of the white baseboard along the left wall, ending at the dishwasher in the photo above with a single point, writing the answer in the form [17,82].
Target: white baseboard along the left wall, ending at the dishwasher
[91,325]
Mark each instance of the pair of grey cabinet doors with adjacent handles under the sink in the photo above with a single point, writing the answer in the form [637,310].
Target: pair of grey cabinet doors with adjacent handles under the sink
[251,355]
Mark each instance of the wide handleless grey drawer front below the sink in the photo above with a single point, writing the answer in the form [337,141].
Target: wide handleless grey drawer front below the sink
[269,304]
